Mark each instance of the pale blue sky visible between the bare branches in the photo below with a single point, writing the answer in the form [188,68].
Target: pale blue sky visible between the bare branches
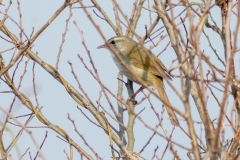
[57,103]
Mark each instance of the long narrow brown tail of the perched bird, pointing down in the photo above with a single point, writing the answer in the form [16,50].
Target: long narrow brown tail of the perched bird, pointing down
[163,96]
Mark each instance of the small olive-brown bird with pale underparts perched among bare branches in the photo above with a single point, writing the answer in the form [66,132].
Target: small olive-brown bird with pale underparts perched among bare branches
[135,57]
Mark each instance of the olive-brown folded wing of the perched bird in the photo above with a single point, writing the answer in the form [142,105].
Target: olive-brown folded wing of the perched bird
[143,58]
